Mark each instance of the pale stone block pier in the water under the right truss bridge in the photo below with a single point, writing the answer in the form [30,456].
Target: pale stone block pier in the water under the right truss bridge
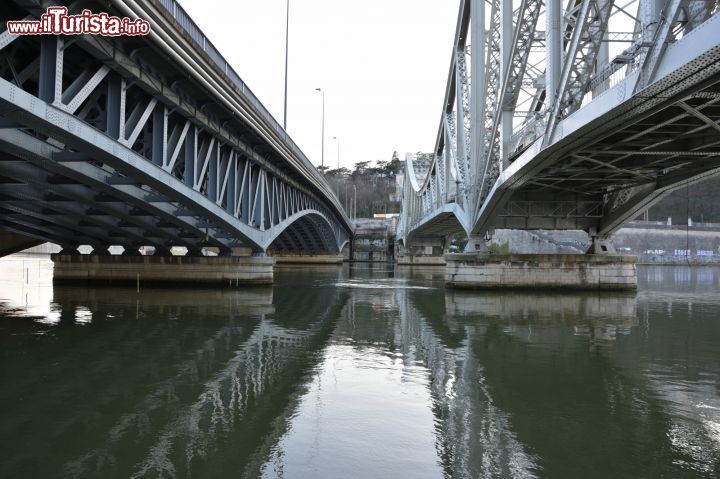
[582,272]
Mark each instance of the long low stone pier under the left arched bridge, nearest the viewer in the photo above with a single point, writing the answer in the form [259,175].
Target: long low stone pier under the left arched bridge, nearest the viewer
[191,270]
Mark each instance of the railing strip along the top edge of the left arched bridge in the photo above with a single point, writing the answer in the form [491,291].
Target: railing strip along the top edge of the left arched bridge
[191,28]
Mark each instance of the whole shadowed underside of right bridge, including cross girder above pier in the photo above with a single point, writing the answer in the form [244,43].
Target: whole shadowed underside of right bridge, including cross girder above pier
[640,160]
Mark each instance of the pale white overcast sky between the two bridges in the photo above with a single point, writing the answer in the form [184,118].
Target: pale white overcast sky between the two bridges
[382,63]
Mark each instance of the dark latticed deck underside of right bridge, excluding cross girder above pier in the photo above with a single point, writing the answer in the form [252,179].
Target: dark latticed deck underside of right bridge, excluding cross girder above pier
[679,141]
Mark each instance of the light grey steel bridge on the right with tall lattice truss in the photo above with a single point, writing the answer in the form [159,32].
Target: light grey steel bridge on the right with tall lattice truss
[580,126]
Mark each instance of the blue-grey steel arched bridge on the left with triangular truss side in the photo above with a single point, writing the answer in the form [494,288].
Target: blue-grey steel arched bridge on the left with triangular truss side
[148,141]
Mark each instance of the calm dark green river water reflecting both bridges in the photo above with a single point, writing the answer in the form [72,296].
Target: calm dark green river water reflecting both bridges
[358,371]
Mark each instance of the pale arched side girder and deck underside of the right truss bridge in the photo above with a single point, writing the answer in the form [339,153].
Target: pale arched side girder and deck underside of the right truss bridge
[630,149]
